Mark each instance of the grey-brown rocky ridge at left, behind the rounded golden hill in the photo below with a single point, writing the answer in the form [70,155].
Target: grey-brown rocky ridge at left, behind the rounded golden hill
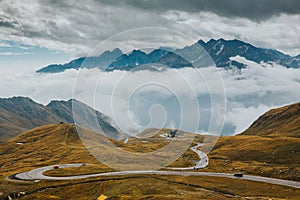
[19,114]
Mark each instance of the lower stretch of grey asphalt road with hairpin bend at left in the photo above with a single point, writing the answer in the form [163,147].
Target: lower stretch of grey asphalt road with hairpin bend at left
[37,174]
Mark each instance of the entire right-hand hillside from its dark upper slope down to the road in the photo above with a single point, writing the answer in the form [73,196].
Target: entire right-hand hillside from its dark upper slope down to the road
[269,147]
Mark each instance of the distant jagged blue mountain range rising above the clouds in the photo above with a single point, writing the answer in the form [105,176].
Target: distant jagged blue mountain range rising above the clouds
[220,52]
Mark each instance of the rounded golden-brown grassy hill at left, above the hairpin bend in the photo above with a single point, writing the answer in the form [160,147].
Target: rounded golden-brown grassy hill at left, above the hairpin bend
[43,146]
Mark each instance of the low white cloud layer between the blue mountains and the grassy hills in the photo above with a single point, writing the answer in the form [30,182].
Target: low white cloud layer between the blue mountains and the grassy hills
[168,98]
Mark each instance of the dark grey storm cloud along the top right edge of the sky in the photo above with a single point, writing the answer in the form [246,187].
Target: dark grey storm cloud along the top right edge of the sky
[252,9]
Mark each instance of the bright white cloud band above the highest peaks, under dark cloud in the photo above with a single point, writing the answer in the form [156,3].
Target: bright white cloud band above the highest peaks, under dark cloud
[278,32]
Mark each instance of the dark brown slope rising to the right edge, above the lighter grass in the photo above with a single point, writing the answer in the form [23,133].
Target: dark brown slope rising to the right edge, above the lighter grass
[281,121]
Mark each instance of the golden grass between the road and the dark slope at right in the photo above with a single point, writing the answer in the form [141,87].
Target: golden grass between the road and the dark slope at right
[277,157]
